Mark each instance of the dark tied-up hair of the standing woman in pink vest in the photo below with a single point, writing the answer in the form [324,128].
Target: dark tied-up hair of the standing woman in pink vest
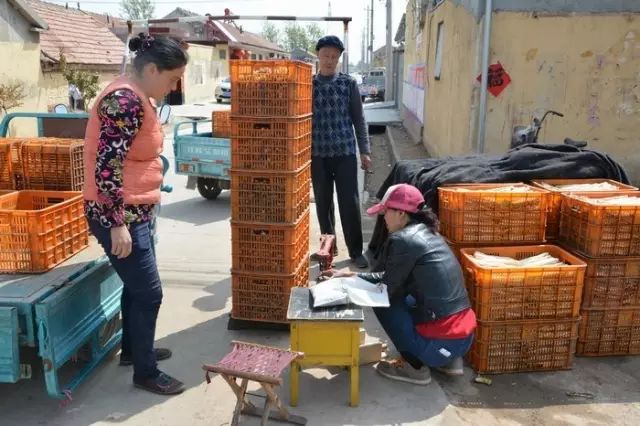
[166,53]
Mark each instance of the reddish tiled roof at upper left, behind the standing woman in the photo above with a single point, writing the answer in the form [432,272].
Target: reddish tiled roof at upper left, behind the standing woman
[82,39]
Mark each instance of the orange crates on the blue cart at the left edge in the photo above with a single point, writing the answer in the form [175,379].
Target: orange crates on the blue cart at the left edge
[42,219]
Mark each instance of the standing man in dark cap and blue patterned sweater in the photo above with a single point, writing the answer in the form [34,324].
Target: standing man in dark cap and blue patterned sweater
[337,110]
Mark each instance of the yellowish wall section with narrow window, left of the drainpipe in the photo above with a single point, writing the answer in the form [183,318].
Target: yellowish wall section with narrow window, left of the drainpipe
[449,100]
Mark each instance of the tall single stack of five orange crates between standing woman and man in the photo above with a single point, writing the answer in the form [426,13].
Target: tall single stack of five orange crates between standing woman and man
[270,185]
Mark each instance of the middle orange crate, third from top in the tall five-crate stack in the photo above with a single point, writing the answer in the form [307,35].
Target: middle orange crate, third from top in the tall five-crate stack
[270,197]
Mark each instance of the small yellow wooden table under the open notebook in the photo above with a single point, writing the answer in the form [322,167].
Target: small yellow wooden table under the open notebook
[327,337]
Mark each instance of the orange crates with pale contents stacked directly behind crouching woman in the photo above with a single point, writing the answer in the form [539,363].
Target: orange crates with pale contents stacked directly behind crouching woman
[527,316]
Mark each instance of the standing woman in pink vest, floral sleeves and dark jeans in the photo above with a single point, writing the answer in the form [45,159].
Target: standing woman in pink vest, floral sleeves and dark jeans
[123,174]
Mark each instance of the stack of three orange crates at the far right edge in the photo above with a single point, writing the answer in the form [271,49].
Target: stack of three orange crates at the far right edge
[607,236]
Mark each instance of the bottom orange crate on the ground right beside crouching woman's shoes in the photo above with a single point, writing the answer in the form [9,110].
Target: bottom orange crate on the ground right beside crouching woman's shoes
[522,346]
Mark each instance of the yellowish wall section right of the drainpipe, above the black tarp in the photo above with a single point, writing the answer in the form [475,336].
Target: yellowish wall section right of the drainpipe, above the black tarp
[587,66]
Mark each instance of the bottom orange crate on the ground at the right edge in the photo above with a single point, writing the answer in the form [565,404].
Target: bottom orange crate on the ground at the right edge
[609,332]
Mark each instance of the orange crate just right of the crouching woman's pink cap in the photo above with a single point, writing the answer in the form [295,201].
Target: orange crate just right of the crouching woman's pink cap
[483,215]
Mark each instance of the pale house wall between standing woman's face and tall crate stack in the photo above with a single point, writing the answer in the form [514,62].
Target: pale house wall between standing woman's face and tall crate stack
[204,70]
